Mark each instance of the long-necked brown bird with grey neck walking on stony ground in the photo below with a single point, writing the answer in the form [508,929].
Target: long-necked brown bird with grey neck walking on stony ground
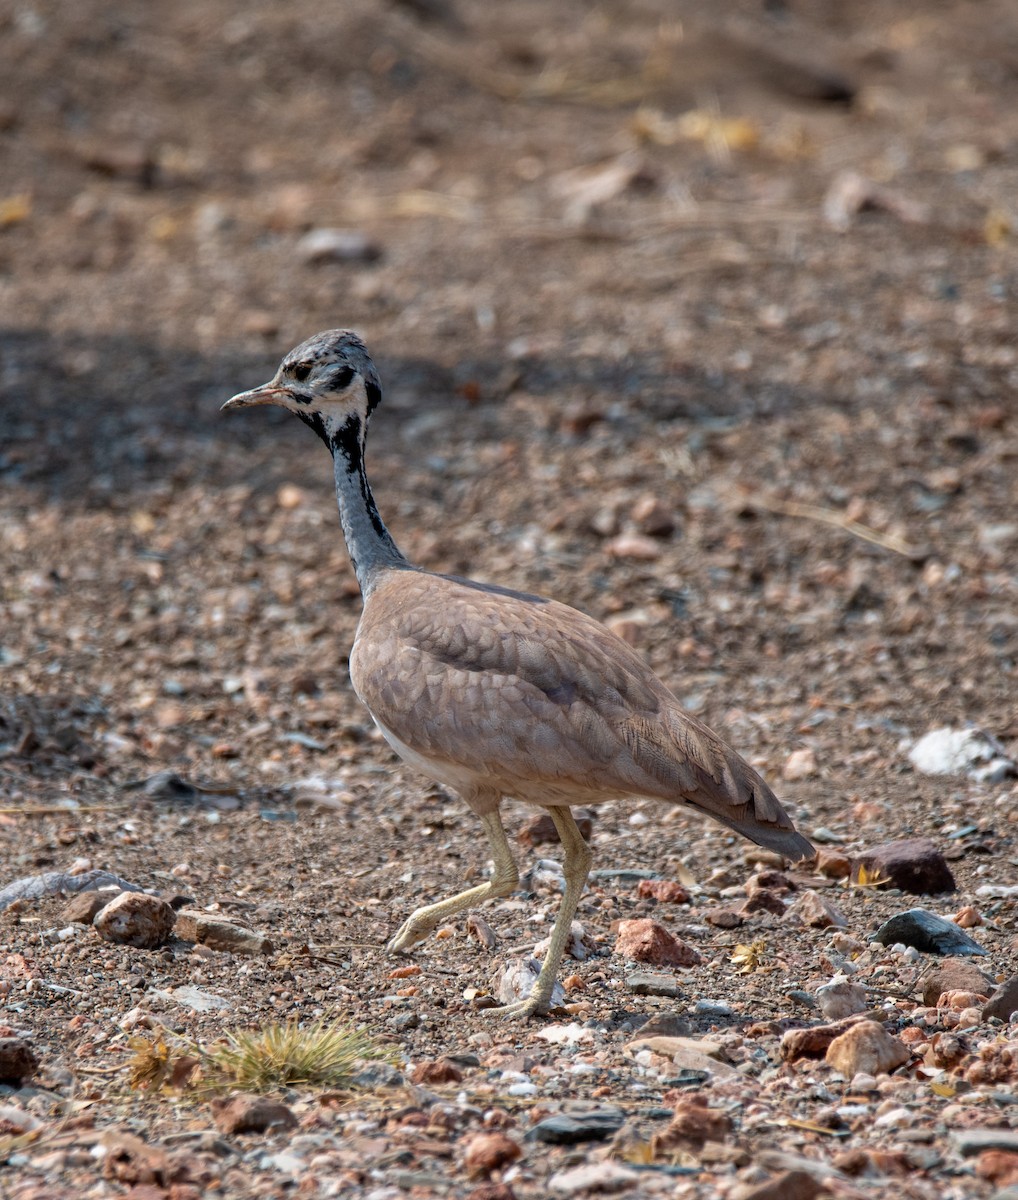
[499,694]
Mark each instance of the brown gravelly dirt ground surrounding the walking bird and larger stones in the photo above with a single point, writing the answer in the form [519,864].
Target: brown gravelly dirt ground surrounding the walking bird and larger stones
[702,323]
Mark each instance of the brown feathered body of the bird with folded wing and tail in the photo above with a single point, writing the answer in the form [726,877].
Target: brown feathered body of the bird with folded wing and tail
[537,699]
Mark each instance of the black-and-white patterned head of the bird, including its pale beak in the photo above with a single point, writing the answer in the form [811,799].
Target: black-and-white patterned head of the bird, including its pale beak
[330,382]
